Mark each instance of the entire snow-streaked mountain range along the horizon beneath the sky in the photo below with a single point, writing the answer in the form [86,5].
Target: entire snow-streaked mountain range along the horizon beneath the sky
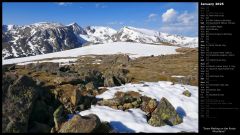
[44,37]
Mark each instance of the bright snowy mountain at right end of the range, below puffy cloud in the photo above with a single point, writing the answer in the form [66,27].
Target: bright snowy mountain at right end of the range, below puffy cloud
[141,35]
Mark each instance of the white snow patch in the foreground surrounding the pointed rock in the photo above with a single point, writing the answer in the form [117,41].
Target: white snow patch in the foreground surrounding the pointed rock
[134,120]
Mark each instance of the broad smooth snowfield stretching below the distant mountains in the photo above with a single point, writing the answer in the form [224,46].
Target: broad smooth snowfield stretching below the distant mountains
[132,49]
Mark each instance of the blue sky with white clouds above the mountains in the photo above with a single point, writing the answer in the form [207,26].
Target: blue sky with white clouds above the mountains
[175,18]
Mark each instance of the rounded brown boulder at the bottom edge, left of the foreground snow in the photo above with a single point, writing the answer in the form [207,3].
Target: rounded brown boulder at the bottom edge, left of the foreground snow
[81,124]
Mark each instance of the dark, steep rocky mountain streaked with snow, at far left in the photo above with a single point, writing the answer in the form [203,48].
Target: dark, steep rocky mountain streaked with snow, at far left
[39,38]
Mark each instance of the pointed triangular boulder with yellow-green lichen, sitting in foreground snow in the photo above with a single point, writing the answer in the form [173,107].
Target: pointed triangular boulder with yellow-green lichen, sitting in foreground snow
[164,114]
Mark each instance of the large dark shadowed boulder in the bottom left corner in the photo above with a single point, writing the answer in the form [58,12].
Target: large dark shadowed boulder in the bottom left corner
[17,105]
